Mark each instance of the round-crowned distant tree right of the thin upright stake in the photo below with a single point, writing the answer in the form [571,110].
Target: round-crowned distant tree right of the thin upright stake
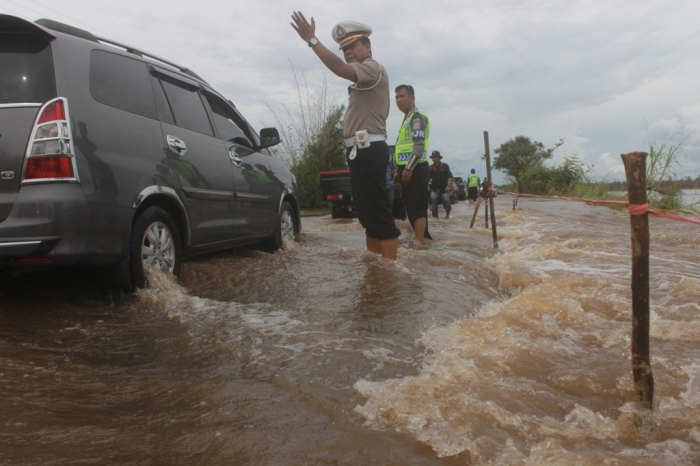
[520,155]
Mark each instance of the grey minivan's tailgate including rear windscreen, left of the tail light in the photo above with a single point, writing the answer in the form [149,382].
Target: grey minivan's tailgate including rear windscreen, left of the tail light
[26,82]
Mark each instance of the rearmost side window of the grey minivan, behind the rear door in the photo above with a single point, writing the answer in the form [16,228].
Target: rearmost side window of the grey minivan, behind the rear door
[121,82]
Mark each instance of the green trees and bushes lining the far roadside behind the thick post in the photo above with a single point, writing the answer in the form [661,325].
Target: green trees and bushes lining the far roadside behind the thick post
[523,161]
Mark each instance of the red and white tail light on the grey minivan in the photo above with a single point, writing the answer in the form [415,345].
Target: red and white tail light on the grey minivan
[50,156]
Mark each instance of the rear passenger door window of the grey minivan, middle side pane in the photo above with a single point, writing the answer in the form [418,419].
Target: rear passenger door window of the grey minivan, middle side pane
[187,106]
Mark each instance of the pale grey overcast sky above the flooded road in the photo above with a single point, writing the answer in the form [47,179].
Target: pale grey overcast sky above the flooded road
[606,76]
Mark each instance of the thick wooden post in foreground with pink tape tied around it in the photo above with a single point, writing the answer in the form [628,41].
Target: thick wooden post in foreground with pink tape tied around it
[635,169]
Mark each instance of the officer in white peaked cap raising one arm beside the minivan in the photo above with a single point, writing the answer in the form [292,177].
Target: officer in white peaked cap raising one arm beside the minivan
[364,126]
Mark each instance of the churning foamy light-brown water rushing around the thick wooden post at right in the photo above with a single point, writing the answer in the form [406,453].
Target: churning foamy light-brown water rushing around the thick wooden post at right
[544,377]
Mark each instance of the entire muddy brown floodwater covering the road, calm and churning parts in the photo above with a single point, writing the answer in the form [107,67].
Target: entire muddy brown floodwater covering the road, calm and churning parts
[322,354]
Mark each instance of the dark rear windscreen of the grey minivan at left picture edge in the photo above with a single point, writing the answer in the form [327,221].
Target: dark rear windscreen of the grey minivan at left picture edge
[26,69]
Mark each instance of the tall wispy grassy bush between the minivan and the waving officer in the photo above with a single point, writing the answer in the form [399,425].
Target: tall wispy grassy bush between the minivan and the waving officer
[312,136]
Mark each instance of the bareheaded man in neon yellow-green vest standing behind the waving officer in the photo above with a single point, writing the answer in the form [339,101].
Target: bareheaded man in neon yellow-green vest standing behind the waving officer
[411,159]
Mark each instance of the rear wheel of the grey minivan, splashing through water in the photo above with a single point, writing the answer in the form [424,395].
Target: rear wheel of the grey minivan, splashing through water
[155,241]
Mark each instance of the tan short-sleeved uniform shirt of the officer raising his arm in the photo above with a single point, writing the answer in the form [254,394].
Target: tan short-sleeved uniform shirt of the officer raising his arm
[369,108]
